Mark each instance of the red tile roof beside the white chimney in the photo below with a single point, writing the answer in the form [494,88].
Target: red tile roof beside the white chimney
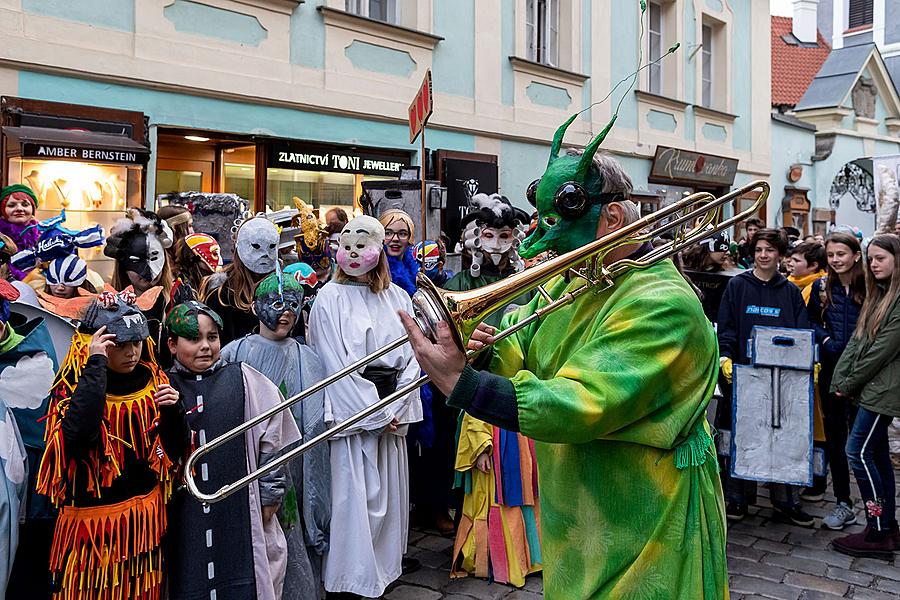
[793,66]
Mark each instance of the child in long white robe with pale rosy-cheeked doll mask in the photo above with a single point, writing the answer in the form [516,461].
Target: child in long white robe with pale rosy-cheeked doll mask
[354,314]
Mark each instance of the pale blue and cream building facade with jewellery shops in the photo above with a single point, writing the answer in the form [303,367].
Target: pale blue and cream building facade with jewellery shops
[271,99]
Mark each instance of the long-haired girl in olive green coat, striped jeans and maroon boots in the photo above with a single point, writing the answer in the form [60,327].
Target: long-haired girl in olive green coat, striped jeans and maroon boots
[869,373]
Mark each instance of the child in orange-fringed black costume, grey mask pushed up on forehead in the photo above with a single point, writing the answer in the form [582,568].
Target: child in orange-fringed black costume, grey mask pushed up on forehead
[115,428]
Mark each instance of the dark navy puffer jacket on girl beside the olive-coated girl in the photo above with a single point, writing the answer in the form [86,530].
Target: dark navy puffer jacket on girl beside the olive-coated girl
[834,323]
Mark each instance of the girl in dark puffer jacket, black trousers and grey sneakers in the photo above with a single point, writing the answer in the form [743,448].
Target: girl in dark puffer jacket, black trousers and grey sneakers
[834,304]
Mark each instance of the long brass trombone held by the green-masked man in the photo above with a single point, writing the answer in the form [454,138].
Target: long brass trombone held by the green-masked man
[693,218]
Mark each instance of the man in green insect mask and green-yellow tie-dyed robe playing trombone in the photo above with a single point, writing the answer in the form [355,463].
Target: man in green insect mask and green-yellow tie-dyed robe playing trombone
[613,388]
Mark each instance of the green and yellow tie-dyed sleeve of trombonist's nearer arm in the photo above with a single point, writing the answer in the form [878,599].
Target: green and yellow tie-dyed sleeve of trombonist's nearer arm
[644,375]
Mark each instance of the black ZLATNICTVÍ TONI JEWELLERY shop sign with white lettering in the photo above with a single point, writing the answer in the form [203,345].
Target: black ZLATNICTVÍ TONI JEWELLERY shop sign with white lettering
[335,159]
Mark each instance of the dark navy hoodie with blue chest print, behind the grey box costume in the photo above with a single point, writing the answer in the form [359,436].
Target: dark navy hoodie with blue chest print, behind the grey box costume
[749,301]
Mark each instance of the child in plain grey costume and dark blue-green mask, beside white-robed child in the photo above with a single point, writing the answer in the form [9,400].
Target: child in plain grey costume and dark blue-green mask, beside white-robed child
[293,366]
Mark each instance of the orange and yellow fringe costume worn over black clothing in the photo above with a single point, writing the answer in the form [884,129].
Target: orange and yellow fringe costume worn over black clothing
[107,552]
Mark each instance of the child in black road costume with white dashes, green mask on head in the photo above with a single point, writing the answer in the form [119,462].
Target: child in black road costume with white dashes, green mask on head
[234,548]
